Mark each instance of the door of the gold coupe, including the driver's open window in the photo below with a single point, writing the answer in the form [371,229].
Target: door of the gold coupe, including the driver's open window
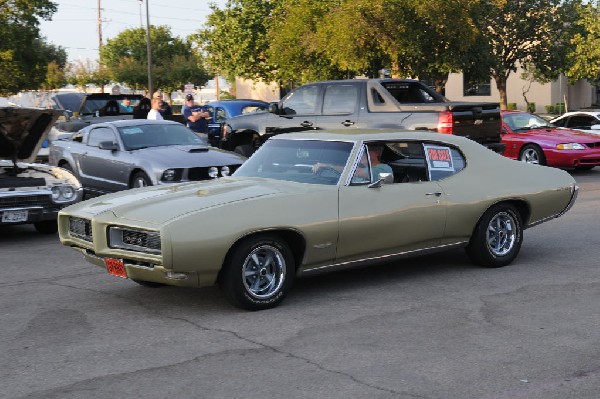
[393,218]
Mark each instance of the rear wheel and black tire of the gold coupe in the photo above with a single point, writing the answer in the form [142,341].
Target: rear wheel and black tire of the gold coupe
[497,238]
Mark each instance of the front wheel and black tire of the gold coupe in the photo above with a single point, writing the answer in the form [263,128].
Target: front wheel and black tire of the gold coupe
[256,286]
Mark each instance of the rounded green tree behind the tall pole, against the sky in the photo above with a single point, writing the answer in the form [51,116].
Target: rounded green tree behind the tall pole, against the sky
[174,62]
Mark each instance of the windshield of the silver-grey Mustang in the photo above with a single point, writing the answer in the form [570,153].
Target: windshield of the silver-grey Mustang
[158,135]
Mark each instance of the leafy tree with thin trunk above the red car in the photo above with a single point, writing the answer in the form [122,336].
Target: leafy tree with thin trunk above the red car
[517,32]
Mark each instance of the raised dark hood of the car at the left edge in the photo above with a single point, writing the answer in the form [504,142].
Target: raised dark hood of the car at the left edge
[23,130]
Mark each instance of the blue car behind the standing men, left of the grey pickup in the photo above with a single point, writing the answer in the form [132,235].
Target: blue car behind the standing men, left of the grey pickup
[222,110]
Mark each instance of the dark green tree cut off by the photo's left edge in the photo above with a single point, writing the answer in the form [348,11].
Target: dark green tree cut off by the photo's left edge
[24,55]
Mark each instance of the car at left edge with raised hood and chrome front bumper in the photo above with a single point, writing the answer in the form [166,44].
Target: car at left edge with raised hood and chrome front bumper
[31,193]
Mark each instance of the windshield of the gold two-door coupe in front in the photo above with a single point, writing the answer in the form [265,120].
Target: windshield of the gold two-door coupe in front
[294,160]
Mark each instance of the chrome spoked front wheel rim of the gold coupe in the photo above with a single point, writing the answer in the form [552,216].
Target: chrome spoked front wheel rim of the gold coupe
[263,271]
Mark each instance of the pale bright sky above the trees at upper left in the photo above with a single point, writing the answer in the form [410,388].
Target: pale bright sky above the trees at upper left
[74,26]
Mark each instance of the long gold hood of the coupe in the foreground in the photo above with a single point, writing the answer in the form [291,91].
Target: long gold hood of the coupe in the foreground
[159,204]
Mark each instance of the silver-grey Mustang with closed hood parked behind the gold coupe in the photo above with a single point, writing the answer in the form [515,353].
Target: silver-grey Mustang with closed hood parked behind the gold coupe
[114,156]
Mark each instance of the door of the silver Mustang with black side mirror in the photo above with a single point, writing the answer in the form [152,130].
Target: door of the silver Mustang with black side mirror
[103,170]
